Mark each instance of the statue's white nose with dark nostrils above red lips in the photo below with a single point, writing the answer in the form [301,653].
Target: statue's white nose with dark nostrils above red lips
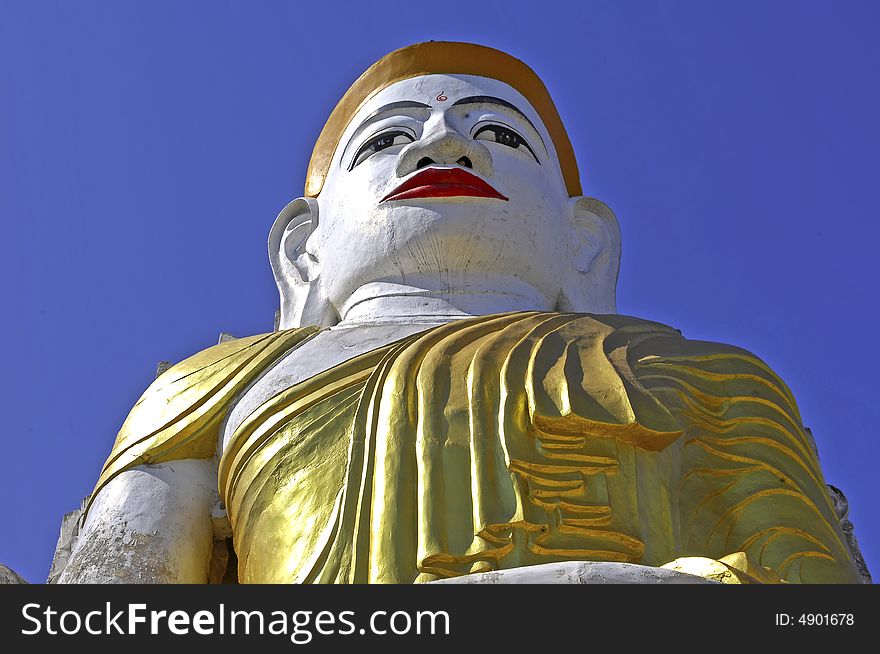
[444,145]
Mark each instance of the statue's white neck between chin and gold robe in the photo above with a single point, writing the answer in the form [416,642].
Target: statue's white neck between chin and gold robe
[387,302]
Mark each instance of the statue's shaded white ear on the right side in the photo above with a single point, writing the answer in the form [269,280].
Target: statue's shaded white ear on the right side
[590,283]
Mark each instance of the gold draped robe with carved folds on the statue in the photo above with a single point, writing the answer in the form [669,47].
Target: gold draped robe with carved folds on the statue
[497,442]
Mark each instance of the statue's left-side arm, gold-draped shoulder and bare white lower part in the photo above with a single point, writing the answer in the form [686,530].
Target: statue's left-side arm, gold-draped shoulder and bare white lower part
[149,518]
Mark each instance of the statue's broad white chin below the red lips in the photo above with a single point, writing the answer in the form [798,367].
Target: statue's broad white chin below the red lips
[462,247]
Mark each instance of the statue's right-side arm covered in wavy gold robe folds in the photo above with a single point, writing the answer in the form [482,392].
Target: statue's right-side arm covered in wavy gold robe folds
[751,480]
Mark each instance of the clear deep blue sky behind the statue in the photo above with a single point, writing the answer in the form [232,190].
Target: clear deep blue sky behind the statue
[146,147]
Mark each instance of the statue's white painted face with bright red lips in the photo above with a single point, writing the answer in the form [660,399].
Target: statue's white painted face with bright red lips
[462,240]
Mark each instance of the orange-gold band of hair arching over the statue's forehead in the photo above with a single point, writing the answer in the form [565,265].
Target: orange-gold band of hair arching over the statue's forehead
[442,57]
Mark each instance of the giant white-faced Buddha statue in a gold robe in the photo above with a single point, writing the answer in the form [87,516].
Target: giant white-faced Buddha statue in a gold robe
[449,390]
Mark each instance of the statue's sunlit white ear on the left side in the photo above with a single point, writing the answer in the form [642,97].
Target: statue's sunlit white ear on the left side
[297,268]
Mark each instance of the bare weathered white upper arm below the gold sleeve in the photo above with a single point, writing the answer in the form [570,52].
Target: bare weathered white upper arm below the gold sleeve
[149,524]
